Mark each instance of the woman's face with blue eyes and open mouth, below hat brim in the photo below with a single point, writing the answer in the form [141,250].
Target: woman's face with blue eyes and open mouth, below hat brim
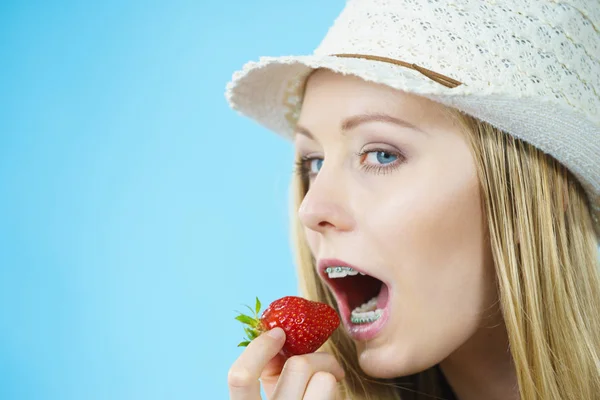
[397,197]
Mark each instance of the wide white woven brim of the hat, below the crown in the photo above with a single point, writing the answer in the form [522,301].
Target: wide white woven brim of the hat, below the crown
[265,91]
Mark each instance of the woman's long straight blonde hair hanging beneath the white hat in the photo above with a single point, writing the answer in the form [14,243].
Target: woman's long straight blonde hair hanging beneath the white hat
[547,270]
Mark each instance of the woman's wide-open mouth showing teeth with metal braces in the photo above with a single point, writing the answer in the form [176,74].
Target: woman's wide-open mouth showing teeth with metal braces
[361,298]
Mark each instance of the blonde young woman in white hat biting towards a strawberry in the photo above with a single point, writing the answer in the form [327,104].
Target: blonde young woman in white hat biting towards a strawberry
[448,159]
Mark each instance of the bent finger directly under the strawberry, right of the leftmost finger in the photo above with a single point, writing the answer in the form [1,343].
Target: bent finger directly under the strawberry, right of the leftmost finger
[298,370]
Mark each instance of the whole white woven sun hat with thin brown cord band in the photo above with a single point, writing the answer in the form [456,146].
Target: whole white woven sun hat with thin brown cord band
[528,67]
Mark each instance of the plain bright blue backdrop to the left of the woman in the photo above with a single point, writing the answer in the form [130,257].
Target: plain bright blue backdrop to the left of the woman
[137,211]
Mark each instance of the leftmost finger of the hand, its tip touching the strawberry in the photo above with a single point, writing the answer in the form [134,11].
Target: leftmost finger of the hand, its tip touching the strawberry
[245,371]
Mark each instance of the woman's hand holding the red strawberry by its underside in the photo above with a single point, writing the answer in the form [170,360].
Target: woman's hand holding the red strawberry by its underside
[306,377]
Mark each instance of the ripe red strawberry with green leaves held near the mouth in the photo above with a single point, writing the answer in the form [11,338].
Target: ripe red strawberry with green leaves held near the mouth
[307,324]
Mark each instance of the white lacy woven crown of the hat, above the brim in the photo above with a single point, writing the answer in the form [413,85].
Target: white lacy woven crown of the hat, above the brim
[533,48]
